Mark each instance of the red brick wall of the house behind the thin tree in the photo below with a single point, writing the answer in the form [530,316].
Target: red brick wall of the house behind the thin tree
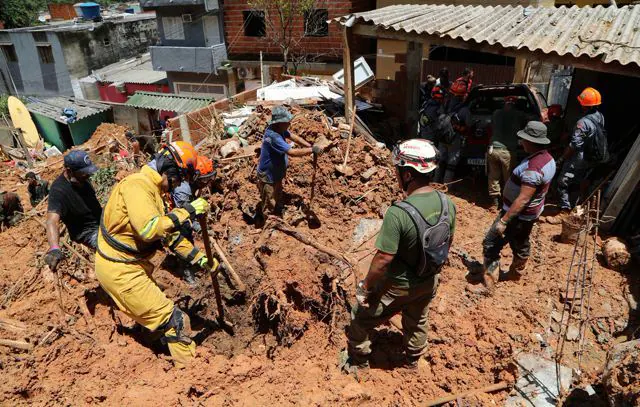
[328,48]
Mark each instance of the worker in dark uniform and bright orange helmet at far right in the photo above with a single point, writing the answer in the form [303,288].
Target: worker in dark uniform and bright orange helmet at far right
[587,148]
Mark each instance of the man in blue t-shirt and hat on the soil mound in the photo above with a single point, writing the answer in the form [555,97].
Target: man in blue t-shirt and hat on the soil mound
[274,160]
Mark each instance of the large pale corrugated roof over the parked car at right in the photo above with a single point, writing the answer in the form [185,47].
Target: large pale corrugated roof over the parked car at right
[607,33]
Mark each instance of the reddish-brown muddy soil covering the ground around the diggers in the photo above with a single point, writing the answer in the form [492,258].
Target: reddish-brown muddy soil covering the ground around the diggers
[101,357]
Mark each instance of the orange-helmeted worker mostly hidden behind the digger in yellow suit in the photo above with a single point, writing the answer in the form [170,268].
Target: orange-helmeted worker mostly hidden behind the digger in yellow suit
[181,197]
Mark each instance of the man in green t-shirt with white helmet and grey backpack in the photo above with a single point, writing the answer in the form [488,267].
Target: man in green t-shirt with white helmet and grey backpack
[393,284]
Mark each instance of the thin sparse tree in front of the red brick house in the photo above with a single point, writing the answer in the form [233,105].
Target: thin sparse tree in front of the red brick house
[282,17]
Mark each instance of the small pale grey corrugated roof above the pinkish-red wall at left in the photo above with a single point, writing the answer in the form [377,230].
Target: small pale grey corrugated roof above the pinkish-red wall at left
[137,70]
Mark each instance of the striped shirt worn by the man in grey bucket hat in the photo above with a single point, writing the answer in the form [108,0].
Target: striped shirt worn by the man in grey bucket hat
[536,171]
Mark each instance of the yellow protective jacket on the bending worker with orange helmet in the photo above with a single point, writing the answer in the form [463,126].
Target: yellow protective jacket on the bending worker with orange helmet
[134,222]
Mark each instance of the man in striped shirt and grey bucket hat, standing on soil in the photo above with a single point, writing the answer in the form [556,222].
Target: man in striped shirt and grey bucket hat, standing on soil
[522,203]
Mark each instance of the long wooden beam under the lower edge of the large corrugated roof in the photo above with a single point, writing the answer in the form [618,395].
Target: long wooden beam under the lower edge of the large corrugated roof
[583,62]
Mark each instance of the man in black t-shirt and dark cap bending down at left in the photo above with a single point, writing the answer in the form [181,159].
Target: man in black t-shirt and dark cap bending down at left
[73,200]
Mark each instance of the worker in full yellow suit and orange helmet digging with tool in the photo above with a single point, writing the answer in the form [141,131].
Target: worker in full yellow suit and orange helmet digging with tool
[134,226]
